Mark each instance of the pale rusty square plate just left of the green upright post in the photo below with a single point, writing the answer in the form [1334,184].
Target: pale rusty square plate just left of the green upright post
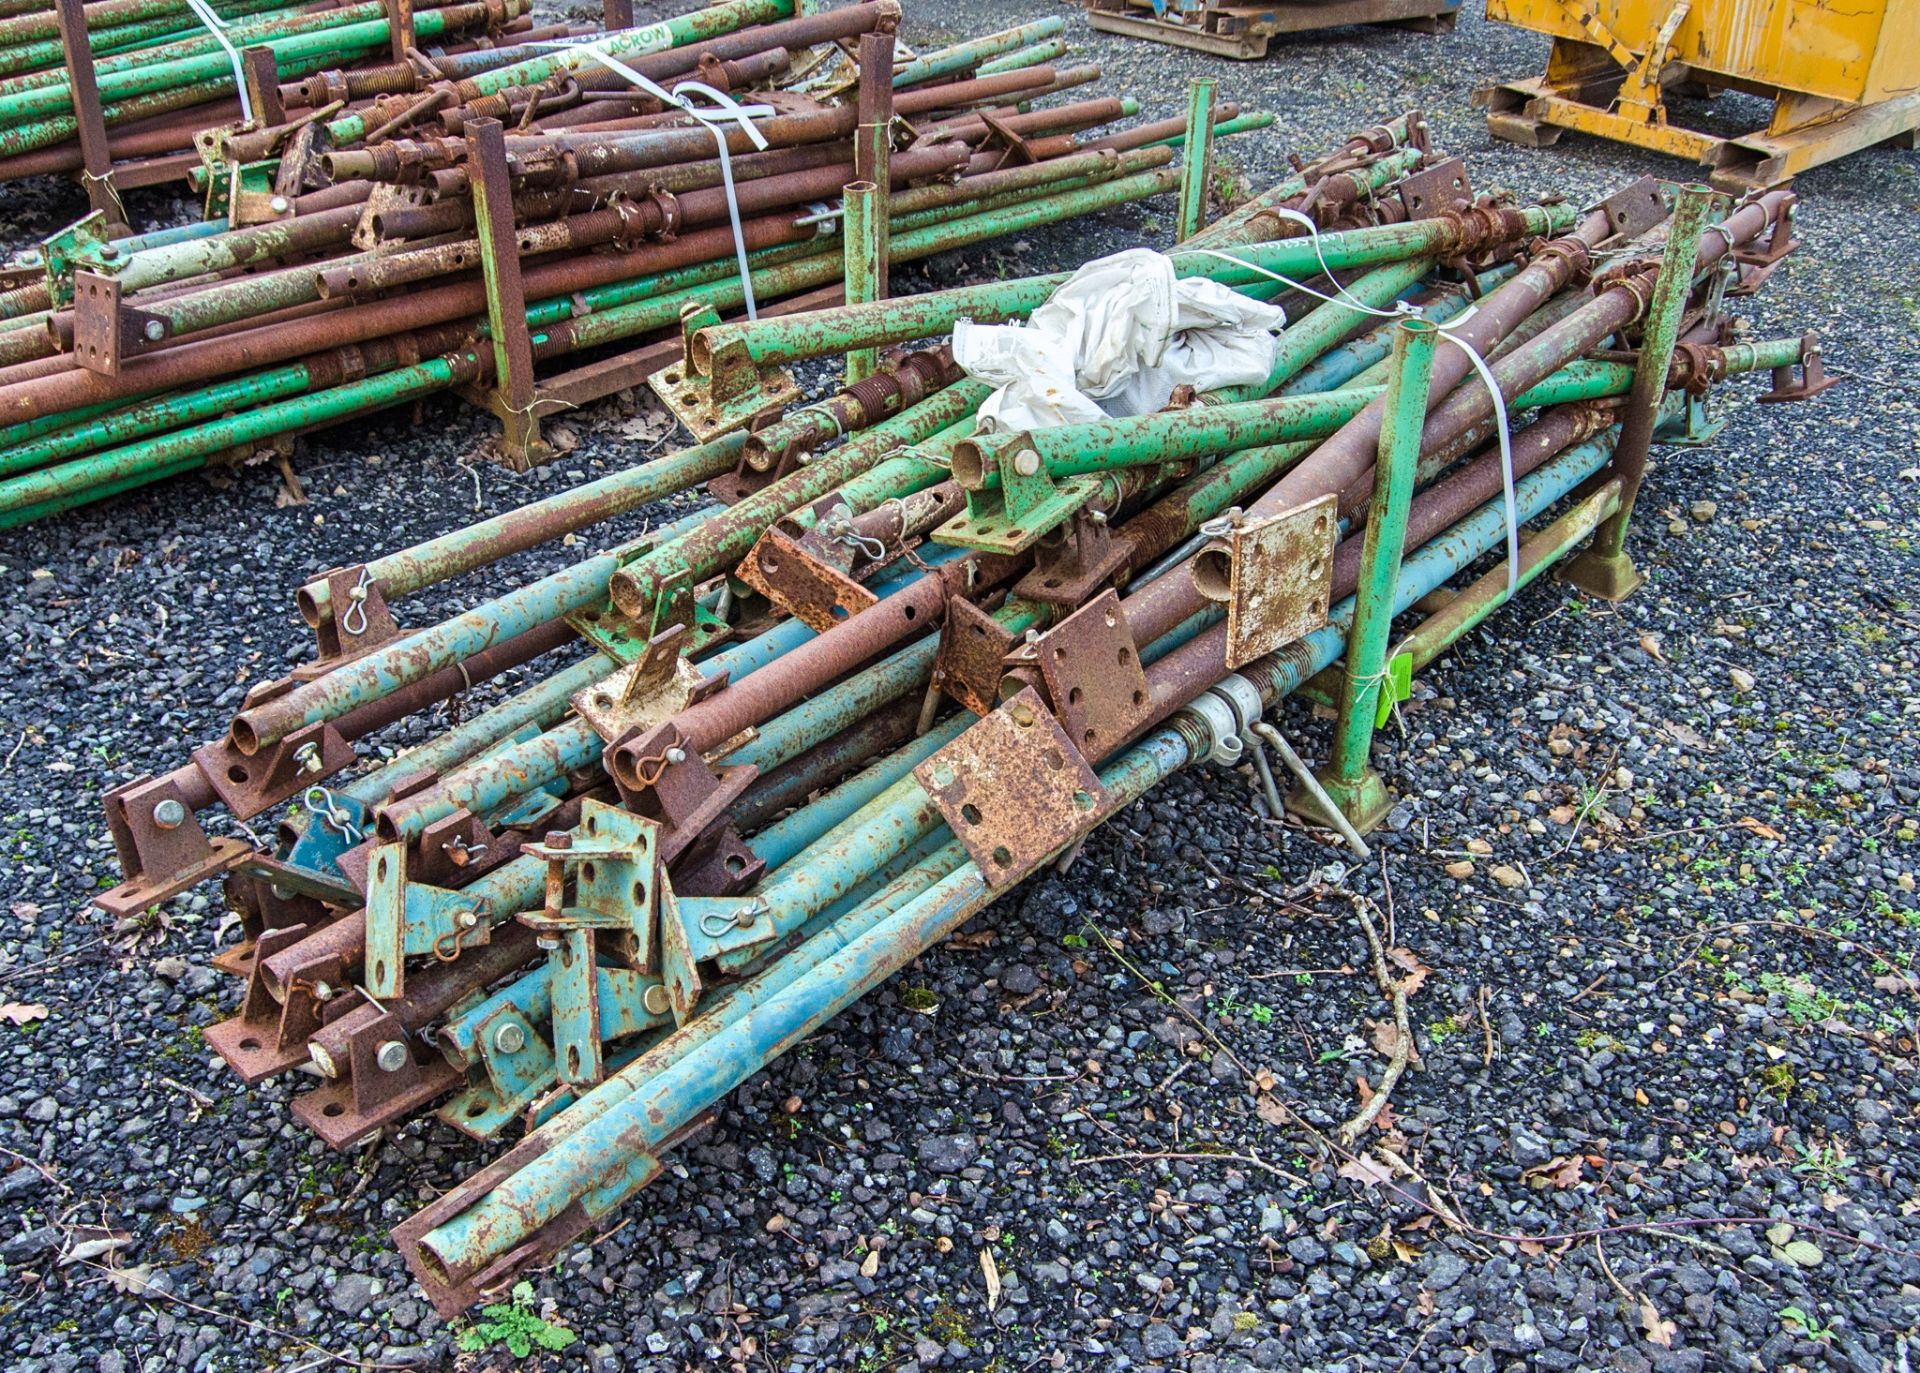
[1282,579]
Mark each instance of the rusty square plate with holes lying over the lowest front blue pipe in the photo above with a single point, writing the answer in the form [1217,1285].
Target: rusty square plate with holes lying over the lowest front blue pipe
[1015,790]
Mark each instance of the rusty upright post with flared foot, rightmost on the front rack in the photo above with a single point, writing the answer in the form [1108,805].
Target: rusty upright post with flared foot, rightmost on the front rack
[1604,569]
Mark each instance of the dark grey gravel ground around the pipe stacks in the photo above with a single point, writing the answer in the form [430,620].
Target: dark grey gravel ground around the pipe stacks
[1648,875]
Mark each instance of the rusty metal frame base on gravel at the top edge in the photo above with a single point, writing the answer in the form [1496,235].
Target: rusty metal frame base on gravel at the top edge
[1243,30]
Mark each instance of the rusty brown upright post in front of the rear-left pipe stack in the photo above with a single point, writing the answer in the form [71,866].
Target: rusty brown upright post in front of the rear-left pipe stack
[506,299]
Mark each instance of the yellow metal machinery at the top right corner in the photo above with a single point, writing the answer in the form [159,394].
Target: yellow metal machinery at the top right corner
[1842,78]
